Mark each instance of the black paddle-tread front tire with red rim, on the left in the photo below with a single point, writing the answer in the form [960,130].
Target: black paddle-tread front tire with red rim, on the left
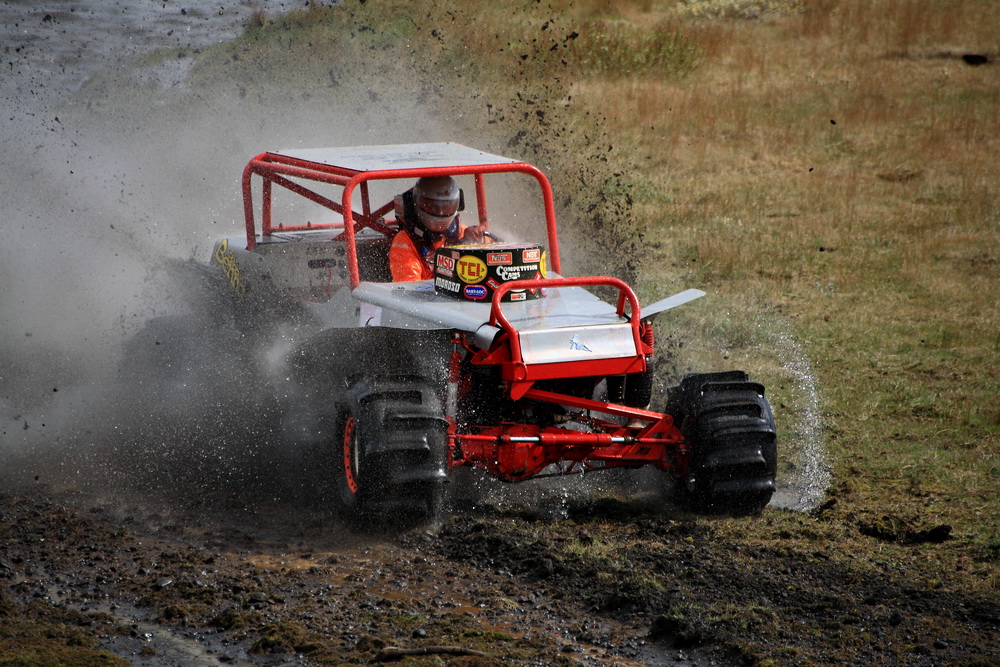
[390,453]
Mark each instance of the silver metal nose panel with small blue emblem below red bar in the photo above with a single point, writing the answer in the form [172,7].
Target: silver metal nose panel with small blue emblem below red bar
[546,346]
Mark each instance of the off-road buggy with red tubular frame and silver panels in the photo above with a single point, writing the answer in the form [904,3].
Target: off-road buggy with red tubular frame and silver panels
[499,363]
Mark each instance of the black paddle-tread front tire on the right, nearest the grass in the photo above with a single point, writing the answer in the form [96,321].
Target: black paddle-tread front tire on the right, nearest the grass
[730,427]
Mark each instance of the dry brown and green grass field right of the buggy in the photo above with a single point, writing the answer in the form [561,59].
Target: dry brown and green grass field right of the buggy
[839,164]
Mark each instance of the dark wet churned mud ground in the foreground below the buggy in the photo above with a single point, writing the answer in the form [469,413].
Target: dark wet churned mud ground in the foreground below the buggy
[590,580]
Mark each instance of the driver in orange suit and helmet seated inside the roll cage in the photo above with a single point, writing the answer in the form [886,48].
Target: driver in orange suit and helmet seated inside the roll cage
[429,221]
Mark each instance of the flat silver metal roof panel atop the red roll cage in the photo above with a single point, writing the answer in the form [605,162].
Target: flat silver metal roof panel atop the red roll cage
[397,156]
